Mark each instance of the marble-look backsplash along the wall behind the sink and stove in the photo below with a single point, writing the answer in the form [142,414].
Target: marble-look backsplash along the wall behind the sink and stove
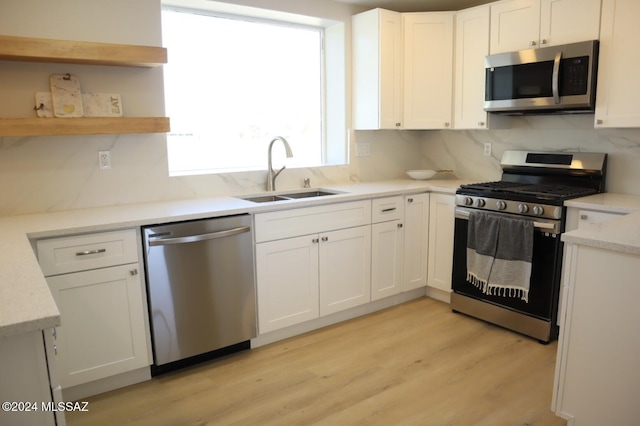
[42,174]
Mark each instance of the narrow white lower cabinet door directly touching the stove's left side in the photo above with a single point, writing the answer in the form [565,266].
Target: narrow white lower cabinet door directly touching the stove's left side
[441,227]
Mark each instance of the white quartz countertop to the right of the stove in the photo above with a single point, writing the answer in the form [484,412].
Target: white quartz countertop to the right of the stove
[620,234]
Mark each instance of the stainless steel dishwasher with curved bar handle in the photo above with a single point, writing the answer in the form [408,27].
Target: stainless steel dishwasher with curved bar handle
[200,277]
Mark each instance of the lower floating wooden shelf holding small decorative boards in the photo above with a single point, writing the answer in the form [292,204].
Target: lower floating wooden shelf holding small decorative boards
[82,126]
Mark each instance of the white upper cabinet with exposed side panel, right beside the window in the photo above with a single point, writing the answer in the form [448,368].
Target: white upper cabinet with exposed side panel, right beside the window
[377,70]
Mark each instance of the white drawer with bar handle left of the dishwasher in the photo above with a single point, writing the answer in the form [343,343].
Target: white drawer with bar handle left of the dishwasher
[83,252]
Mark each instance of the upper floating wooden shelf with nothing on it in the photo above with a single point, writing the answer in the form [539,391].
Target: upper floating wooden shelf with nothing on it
[79,52]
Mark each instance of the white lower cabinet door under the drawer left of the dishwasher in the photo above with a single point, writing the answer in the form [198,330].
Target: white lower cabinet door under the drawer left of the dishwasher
[102,332]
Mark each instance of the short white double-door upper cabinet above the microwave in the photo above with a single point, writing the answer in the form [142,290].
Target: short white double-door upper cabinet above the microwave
[527,24]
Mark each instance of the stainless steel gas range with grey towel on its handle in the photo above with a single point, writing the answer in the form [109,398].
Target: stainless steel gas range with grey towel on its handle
[518,221]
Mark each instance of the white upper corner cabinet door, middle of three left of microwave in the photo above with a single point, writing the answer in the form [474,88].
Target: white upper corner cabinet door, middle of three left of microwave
[428,70]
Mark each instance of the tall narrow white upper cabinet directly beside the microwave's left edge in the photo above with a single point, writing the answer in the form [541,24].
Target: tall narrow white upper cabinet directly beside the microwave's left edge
[472,45]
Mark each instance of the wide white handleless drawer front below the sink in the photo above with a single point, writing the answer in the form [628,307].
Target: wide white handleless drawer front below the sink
[311,220]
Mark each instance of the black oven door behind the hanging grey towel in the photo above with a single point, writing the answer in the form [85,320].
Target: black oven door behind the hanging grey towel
[545,270]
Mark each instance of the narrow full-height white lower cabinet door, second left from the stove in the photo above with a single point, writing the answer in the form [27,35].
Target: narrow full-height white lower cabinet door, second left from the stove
[416,241]
